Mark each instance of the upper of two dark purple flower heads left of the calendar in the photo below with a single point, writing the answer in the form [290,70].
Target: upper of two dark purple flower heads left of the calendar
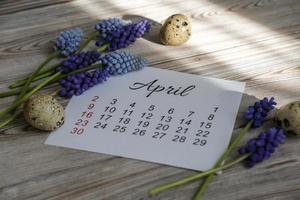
[78,61]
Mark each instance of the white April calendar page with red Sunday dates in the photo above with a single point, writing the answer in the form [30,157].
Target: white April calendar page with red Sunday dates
[154,115]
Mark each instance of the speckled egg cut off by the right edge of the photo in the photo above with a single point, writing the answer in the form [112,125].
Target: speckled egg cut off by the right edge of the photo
[288,117]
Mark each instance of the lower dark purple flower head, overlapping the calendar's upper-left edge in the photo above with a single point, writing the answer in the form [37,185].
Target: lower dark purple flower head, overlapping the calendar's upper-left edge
[79,83]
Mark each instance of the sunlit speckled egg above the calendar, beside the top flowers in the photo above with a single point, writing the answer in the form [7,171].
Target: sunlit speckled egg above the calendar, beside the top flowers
[176,30]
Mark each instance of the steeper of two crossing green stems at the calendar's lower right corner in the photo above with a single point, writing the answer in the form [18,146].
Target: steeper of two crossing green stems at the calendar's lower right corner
[230,149]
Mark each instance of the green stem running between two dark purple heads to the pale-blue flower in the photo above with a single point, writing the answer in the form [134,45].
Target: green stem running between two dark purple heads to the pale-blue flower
[17,91]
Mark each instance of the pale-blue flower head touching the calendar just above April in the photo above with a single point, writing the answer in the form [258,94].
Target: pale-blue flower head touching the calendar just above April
[121,62]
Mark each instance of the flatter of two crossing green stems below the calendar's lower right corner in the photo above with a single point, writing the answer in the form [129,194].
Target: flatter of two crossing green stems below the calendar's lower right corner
[194,177]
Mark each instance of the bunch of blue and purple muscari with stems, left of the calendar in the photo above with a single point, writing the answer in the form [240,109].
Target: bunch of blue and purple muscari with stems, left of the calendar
[80,70]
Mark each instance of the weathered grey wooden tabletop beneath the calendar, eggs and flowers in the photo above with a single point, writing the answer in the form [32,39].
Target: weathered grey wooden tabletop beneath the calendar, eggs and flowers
[256,41]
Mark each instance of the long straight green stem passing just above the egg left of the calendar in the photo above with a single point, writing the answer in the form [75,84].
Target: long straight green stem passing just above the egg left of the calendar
[25,97]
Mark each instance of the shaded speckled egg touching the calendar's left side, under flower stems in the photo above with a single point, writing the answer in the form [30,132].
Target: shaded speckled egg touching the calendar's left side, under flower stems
[44,112]
